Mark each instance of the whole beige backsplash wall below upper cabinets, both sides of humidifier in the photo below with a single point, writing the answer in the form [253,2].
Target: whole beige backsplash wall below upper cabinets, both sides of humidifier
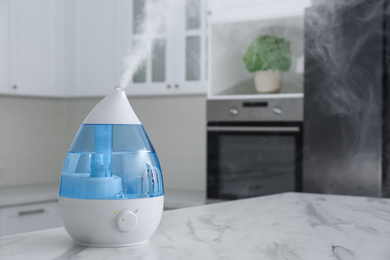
[36,133]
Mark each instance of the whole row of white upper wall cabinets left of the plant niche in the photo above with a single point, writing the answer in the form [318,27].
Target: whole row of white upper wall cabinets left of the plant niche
[69,48]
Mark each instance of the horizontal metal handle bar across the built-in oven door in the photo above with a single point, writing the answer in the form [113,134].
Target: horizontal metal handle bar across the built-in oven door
[264,129]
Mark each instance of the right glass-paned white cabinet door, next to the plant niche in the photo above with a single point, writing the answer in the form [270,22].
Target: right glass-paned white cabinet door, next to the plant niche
[190,45]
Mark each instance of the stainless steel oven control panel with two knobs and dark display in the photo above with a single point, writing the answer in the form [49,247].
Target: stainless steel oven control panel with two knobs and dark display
[271,110]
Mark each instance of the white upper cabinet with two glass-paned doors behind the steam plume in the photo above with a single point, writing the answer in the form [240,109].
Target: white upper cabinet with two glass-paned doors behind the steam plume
[178,63]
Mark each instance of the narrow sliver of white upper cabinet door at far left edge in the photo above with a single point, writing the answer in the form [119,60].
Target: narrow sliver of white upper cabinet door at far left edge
[4,46]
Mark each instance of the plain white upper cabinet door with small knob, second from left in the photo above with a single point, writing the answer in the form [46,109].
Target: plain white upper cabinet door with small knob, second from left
[34,47]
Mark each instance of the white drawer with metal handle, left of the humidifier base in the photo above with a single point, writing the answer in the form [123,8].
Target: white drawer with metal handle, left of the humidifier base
[31,217]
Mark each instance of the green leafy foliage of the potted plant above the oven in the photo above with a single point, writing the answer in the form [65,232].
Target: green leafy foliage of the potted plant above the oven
[268,53]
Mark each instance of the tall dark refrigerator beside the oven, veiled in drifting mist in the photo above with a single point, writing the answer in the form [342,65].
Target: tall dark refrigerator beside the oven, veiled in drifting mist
[343,92]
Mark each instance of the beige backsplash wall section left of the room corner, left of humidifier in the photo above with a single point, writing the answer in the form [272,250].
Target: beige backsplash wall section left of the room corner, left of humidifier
[33,141]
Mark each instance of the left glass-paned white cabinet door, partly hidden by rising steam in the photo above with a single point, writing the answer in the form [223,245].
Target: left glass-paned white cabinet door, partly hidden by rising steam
[154,76]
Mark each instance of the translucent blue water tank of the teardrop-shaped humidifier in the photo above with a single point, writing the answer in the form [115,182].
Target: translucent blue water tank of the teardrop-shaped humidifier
[111,162]
